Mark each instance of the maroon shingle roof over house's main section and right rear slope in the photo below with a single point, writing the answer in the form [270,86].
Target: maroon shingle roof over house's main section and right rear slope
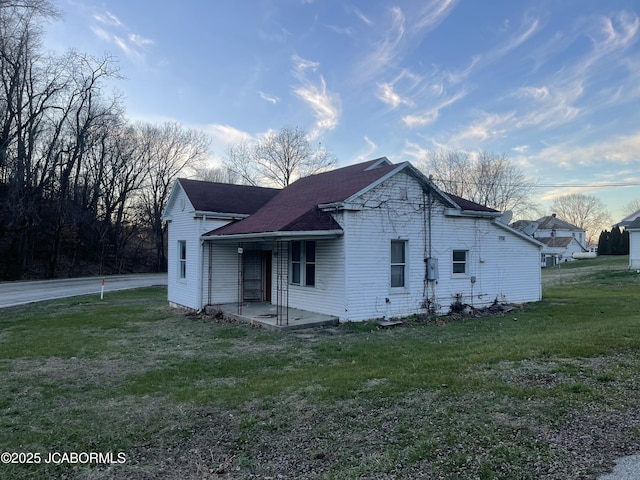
[296,208]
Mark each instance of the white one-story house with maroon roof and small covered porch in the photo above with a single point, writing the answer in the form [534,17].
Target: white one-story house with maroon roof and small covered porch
[365,241]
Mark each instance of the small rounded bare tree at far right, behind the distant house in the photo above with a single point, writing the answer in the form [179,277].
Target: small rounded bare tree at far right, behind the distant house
[584,211]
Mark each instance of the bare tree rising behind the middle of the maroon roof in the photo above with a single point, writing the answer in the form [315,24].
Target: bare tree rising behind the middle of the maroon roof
[279,158]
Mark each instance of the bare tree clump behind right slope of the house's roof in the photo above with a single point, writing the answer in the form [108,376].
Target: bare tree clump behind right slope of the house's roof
[485,178]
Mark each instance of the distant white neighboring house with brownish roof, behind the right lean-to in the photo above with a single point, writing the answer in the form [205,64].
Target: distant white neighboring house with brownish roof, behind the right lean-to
[561,239]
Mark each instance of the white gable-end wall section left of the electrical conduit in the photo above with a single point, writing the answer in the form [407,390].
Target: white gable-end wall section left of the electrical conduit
[390,211]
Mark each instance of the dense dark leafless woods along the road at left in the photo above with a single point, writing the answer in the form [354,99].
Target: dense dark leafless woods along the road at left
[81,188]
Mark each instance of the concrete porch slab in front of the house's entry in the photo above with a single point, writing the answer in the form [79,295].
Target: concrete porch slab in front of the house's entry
[265,314]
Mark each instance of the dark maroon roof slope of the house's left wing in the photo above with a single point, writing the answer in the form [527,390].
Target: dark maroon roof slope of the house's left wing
[225,197]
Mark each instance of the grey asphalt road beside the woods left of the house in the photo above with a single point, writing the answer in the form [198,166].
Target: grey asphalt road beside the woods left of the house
[20,293]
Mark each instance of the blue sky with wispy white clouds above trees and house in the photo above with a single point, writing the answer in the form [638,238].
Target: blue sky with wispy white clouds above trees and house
[553,84]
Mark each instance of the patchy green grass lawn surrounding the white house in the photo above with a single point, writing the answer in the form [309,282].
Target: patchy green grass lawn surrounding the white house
[549,390]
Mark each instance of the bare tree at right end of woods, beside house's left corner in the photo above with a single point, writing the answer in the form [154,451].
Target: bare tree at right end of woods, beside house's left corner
[167,151]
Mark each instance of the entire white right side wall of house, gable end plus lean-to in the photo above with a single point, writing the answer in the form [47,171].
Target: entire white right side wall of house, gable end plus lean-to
[505,266]
